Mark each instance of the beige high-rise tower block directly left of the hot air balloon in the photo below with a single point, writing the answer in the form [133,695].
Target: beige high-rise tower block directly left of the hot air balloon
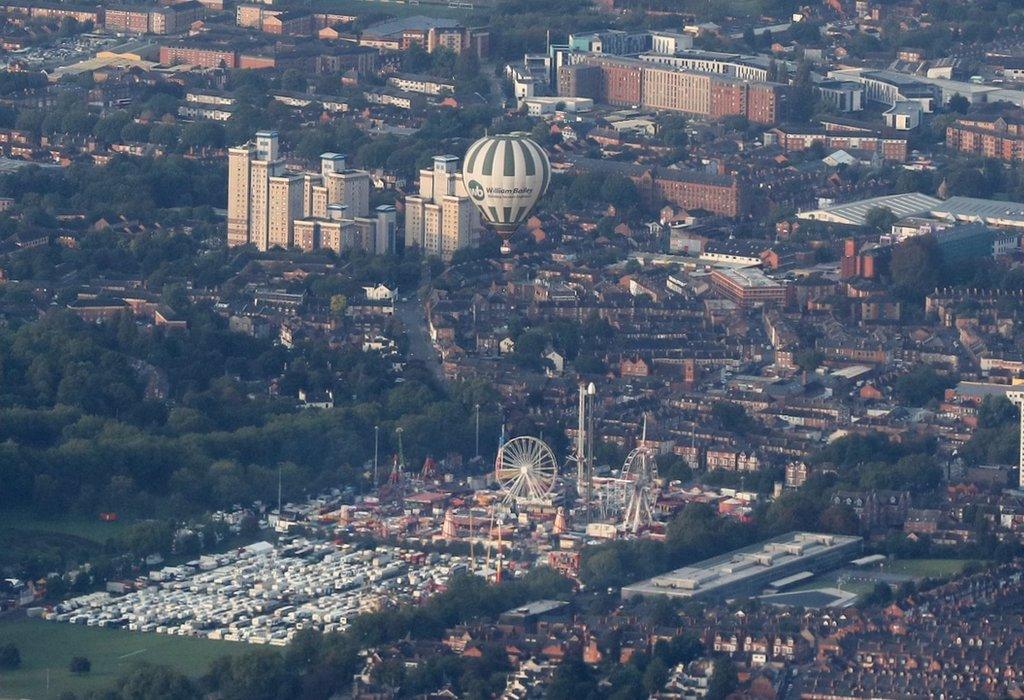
[442,220]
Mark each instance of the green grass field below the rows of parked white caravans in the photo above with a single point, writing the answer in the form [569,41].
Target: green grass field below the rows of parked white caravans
[52,646]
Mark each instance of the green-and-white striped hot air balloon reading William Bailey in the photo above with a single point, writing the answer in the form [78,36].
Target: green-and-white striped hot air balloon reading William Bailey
[505,177]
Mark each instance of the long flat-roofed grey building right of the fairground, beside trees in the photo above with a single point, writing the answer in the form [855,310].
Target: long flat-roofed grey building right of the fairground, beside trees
[751,570]
